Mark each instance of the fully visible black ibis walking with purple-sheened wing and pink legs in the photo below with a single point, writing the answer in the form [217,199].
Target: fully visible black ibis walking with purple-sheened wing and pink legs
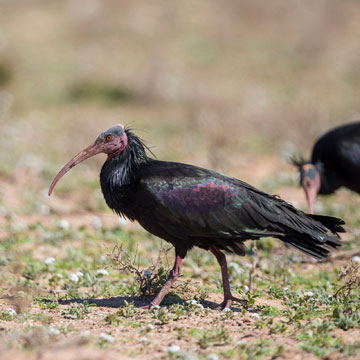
[190,206]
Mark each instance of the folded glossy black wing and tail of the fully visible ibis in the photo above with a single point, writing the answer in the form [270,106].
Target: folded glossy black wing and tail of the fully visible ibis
[192,203]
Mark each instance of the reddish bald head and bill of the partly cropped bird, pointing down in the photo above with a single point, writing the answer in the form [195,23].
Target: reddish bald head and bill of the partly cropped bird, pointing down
[309,180]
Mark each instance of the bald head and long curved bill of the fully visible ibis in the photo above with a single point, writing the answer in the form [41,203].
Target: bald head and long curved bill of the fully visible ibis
[111,142]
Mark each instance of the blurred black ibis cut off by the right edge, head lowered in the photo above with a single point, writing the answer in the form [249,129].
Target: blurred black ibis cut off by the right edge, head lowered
[335,162]
